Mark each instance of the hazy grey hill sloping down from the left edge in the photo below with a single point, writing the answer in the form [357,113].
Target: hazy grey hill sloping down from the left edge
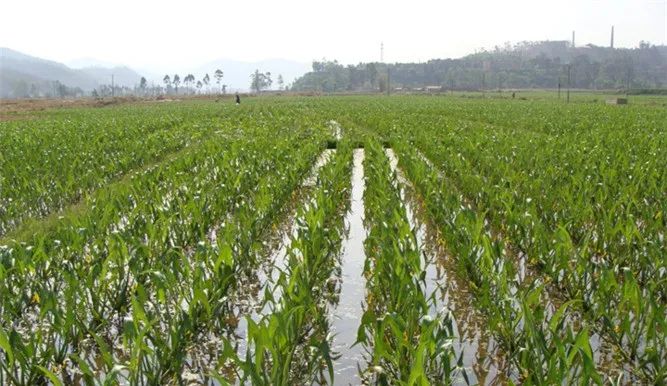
[23,75]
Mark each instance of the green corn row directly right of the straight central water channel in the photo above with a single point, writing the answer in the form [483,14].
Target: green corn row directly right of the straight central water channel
[406,344]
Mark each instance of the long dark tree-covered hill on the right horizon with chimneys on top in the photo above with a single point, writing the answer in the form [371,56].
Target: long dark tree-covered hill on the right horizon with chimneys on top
[524,65]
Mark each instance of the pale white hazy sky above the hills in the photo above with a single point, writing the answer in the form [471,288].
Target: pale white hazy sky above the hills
[163,34]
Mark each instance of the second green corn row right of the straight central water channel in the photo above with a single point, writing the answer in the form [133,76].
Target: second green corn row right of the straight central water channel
[542,349]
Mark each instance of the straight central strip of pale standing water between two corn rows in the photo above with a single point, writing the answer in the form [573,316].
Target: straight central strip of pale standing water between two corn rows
[347,313]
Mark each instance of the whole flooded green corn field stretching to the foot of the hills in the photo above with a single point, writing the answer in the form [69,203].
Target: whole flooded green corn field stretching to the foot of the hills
[335,240]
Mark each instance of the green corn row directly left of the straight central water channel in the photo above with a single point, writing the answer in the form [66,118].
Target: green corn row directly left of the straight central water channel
[291,344]
